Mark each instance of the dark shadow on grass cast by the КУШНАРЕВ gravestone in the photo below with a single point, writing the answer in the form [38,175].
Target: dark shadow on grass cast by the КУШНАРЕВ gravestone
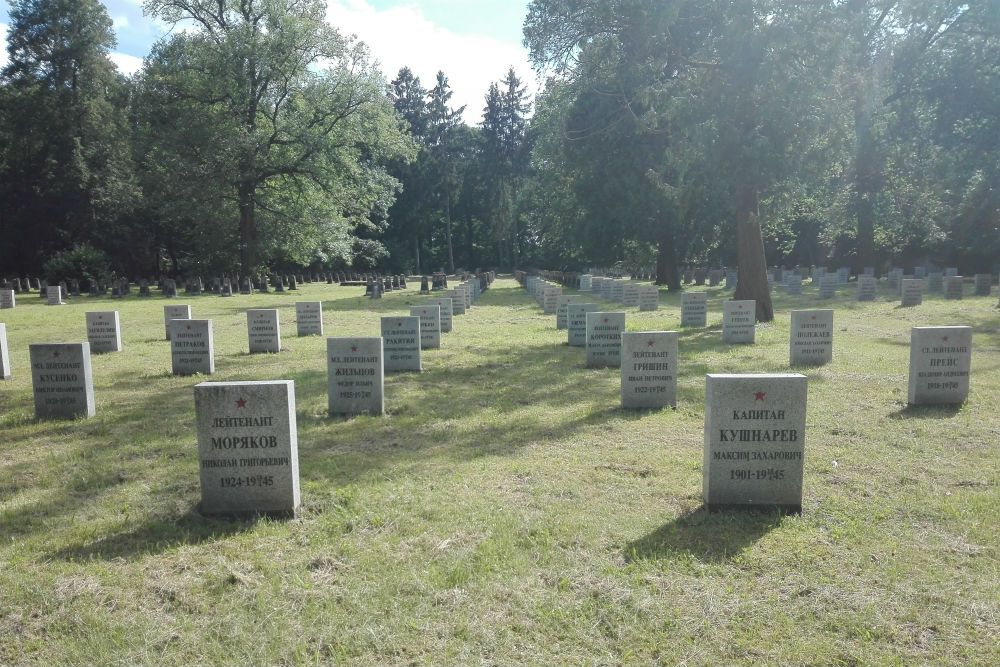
[710,536]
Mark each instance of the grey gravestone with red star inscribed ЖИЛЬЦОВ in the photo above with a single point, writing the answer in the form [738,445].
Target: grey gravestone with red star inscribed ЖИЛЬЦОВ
[355,376]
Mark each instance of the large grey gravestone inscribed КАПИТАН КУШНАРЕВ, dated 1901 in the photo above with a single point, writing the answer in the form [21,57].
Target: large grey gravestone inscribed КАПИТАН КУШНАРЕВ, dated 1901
[754,441]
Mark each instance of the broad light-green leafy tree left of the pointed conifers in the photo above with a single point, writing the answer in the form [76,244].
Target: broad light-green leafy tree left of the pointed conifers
[294,120]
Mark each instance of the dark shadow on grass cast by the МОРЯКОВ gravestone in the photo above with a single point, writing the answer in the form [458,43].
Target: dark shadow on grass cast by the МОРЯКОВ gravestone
[157,535]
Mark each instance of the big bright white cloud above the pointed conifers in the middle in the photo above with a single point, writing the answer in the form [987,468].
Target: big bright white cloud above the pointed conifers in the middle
[403,36]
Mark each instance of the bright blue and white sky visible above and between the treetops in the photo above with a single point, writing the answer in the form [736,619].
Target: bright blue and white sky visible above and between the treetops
[474,42]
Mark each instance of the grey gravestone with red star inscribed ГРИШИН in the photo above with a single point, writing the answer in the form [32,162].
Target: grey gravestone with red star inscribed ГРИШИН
[649,369]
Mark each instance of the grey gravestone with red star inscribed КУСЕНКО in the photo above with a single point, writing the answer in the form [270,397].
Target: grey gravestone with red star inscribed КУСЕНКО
[62,380]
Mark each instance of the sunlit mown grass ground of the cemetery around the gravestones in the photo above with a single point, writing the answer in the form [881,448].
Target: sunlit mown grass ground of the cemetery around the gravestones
[505,510]
